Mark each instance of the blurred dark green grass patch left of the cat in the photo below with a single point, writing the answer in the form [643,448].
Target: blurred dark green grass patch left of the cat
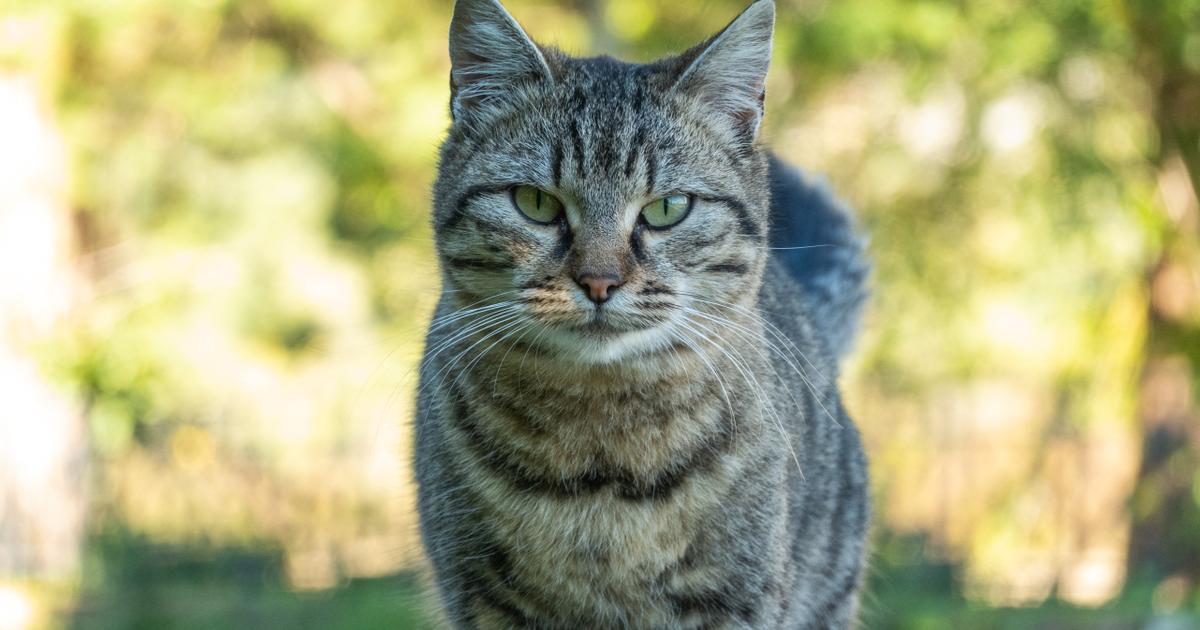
[134,585]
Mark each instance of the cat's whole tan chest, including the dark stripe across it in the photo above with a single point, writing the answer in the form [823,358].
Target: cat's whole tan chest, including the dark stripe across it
[598,501]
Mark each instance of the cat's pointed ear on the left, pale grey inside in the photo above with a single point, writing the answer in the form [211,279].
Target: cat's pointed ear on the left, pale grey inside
[489,55]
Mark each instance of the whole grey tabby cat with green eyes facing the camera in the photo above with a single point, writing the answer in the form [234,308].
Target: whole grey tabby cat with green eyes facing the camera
[628,415]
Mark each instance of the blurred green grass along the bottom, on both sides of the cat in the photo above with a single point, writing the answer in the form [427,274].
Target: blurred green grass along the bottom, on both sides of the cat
[131,584]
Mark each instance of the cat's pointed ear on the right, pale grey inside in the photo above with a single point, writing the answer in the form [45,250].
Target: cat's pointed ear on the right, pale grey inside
[729,73]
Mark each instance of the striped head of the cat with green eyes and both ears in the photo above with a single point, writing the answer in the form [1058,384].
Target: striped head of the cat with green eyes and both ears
[601,201]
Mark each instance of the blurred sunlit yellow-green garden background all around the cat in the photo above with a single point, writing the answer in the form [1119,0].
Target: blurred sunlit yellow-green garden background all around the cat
[217,265]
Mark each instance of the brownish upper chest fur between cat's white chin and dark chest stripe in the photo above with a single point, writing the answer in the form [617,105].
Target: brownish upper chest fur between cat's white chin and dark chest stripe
[595,434]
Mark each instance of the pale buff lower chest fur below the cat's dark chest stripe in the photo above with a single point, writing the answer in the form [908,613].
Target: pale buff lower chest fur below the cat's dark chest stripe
[601,556]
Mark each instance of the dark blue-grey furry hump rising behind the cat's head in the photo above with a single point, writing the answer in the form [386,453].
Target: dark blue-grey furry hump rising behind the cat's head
[813,235]
